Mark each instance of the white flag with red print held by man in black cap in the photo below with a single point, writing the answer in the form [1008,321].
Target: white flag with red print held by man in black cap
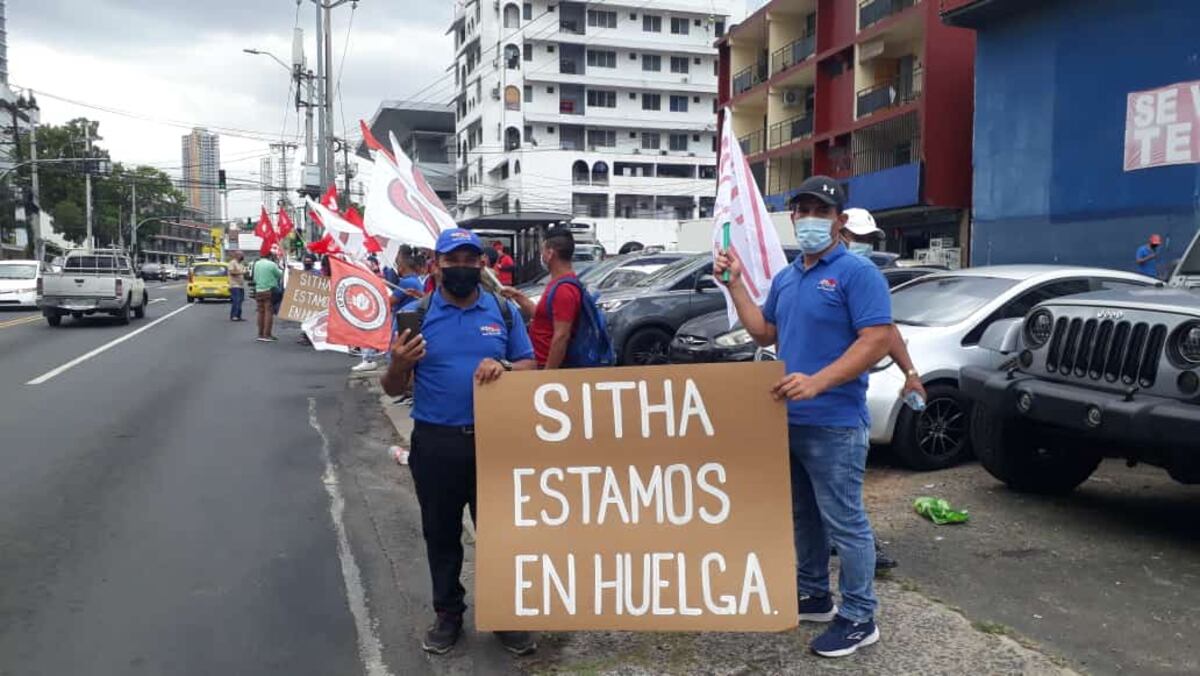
[754,242]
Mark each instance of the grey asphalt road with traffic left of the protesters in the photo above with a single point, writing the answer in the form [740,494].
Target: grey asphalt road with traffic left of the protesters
[163,506]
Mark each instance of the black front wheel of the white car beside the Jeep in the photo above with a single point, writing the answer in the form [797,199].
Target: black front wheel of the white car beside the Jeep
[939,436]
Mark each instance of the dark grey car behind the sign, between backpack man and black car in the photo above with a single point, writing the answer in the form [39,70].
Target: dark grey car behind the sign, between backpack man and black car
[644,318]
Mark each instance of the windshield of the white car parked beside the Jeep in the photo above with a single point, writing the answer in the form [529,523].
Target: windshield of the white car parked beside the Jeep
[945,301]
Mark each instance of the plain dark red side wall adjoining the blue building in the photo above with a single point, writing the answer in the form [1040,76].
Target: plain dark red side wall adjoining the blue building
[947,112]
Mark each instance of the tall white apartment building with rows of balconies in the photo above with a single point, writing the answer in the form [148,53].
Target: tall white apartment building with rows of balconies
[602,110]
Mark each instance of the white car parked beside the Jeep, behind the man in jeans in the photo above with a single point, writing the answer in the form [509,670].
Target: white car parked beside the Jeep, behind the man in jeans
[943,318]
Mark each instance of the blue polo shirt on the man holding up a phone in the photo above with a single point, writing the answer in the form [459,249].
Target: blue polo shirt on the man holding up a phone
[457,340]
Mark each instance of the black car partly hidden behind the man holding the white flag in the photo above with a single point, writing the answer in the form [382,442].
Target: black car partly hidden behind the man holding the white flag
[710,338]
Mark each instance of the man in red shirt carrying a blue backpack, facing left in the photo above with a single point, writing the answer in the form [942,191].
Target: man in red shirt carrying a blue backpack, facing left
[553,327]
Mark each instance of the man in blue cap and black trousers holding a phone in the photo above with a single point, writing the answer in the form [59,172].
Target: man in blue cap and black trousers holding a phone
[467,337]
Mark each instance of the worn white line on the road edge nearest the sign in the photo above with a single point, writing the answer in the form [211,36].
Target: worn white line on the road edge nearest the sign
[370,649]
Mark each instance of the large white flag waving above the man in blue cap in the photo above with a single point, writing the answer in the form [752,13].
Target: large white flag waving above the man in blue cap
[401,206]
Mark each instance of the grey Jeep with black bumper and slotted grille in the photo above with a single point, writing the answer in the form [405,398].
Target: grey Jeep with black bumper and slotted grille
[1111,374]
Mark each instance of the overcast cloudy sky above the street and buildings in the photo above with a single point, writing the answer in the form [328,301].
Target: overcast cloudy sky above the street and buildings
[182,62]
